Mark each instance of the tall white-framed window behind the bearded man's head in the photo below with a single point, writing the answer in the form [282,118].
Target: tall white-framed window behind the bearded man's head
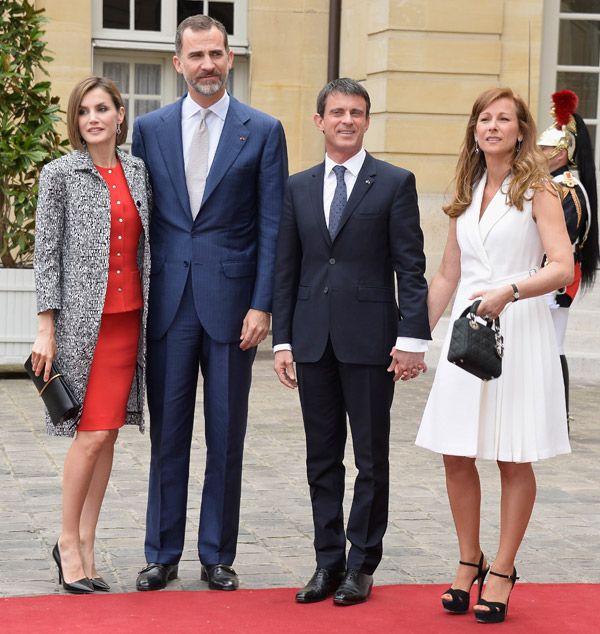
[133,45]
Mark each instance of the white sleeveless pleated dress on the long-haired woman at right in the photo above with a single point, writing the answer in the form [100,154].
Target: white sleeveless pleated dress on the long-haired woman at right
[519,417]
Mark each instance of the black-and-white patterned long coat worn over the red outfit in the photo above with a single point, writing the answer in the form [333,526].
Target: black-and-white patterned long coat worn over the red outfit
[72,242]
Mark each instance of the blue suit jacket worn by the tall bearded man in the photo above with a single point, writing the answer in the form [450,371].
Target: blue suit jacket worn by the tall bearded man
[230,246]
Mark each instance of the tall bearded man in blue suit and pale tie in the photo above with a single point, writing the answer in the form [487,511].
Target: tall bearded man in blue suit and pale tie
[217,169]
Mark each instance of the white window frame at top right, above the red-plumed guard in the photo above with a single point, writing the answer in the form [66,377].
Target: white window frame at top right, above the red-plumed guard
[550,67]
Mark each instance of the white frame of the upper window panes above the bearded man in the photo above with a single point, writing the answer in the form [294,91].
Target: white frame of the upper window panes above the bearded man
[163,40]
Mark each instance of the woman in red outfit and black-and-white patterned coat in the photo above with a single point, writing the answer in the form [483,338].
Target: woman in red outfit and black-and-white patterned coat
[91,282]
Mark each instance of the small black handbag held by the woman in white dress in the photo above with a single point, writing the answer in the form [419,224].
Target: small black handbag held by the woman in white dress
[477,346]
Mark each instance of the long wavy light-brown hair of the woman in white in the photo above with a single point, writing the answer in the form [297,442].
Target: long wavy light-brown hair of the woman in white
[529,167]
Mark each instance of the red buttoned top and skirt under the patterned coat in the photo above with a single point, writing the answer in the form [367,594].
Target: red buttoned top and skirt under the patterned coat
[115,355]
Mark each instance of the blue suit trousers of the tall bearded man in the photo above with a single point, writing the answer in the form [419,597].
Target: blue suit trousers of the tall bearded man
[173,364]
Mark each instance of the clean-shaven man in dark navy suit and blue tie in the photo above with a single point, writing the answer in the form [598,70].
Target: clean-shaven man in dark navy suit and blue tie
[349,230]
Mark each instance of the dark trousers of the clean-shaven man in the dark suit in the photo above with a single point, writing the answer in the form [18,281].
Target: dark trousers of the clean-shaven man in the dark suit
[330,390]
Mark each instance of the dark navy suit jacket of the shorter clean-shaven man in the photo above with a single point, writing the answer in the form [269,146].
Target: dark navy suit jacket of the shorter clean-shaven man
[344,289]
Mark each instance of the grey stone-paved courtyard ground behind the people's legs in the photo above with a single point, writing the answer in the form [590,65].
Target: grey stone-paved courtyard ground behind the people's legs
[275,543]
